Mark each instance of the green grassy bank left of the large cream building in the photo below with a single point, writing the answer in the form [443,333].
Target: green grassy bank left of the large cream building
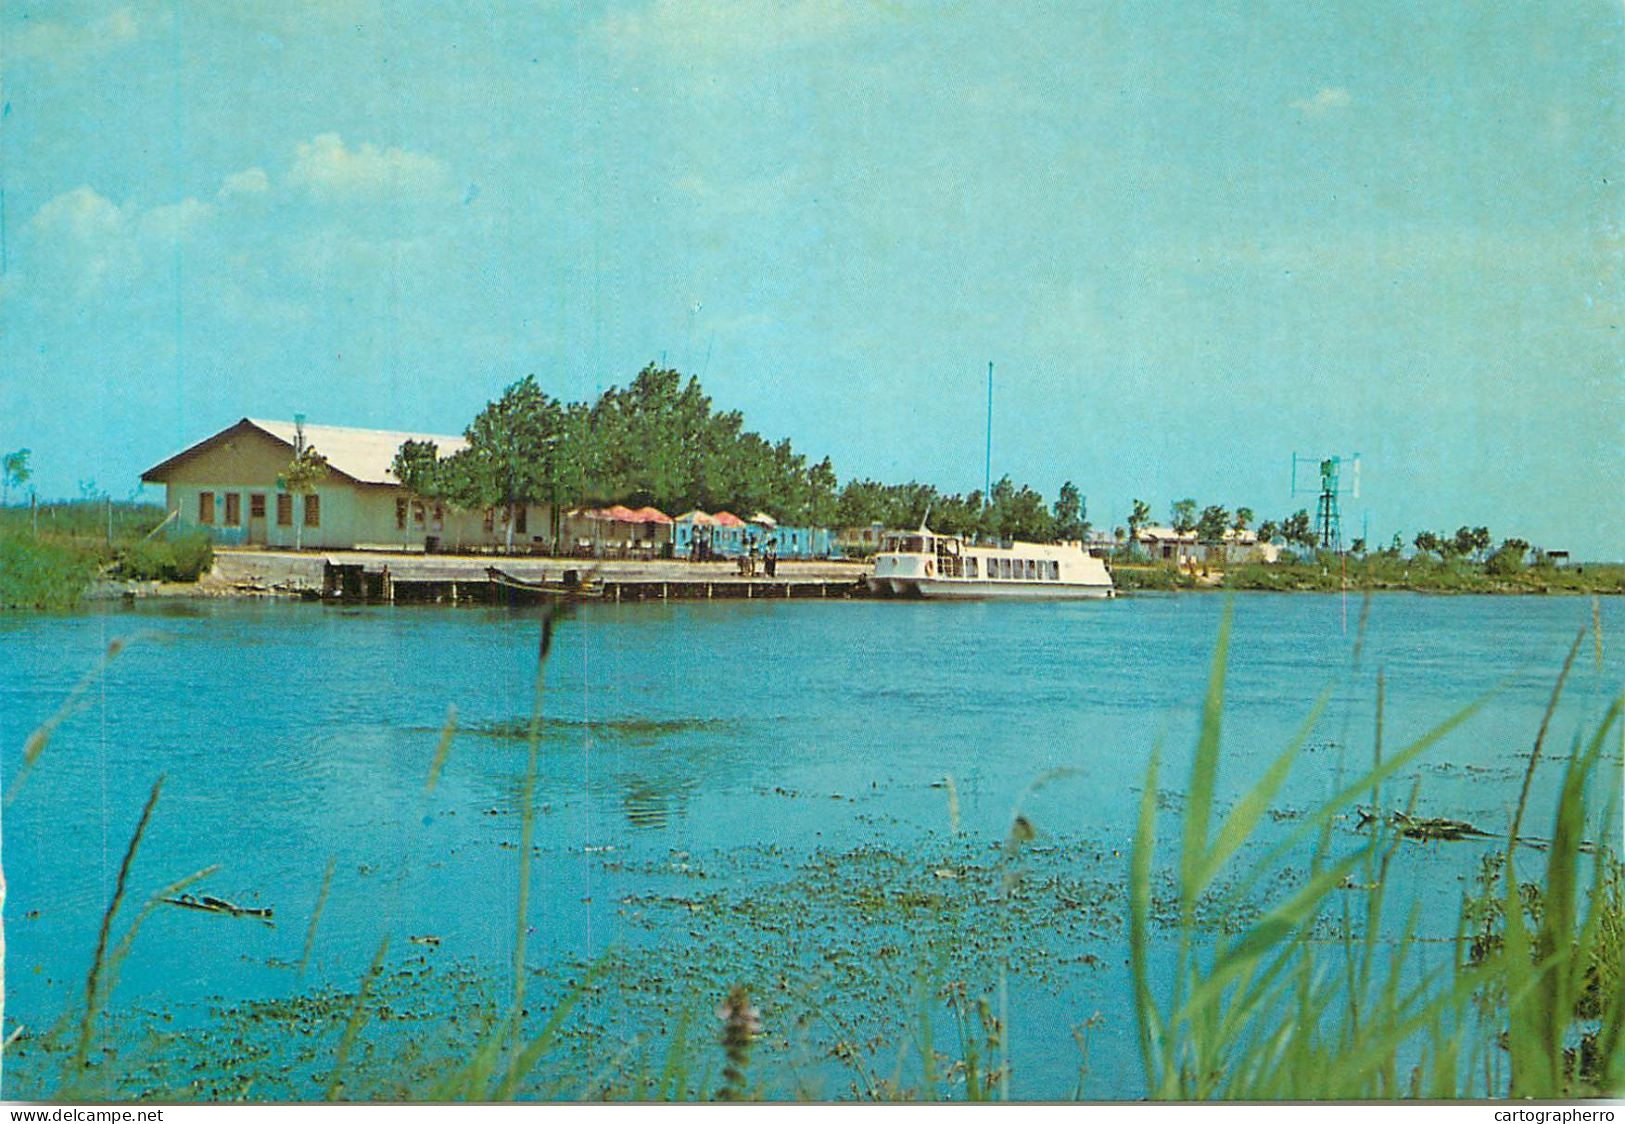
[50,558]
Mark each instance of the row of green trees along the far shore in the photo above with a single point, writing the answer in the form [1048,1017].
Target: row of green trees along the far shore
[662,443]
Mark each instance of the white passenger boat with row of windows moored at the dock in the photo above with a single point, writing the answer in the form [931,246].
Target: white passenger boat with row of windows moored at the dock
[943,566]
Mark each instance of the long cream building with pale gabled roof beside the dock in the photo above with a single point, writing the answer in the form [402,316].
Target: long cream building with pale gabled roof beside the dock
[228,488]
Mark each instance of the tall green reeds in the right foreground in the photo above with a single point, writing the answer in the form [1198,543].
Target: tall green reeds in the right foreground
[1276,1013]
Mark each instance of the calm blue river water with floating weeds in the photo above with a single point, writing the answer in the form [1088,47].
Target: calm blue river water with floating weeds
[729,792]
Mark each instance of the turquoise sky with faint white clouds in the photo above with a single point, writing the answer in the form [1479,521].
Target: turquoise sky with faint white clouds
[1194,238]
